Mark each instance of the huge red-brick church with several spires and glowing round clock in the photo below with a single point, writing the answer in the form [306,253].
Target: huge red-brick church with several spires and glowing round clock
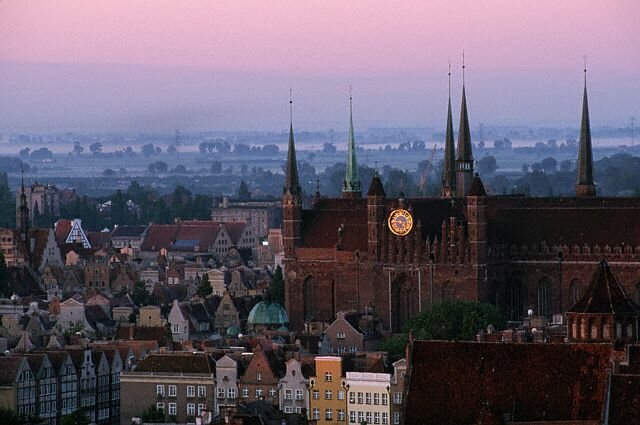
[398,256]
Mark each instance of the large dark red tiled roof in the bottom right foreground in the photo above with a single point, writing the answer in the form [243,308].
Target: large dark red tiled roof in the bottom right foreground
[452,383]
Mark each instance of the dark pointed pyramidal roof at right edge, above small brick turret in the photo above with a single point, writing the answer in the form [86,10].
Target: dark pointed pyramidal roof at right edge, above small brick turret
[605,295]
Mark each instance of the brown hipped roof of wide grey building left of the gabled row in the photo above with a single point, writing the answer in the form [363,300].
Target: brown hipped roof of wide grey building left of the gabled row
[177,363]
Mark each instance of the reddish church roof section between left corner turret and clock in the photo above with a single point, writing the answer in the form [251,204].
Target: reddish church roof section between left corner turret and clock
[320,225]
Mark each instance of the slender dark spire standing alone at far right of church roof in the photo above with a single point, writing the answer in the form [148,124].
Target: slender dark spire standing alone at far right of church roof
[585,186]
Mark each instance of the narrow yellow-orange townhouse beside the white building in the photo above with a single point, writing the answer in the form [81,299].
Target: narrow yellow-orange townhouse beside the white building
[327,392]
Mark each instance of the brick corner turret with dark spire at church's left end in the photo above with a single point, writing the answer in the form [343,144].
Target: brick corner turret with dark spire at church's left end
[291,196]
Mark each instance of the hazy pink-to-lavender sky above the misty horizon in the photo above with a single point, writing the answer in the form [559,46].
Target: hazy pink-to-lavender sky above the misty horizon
[228,65]
